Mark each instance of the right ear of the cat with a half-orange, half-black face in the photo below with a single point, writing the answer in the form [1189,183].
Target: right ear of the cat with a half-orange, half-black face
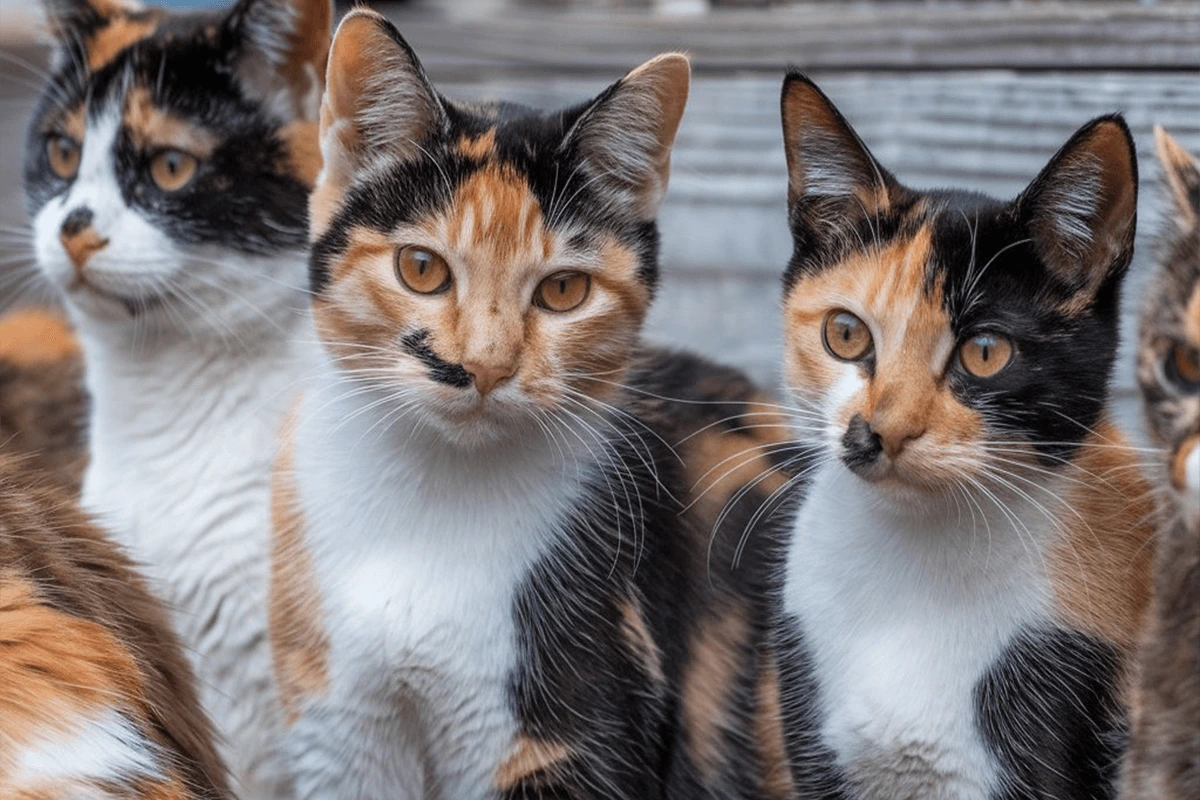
[1083,209]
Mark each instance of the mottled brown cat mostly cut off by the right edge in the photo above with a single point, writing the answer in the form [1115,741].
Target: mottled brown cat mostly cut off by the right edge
[1165,757]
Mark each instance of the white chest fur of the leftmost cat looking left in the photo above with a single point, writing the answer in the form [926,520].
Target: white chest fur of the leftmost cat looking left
[182,438]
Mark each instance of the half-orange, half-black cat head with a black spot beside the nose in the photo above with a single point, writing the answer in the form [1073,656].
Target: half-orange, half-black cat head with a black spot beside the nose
[941,338]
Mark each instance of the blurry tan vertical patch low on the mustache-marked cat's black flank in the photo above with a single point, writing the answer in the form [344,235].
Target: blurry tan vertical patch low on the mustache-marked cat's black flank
[713,666]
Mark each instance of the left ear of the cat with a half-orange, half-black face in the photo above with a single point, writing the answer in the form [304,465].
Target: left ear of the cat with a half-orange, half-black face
[832,178]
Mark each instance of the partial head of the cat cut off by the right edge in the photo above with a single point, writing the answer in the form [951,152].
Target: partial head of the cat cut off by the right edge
[1169,353]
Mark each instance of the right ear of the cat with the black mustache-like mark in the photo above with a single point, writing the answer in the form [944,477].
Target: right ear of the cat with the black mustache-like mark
[625,137]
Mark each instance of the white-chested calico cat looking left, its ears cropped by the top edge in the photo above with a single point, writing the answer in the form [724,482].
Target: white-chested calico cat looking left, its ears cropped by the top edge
[167,170]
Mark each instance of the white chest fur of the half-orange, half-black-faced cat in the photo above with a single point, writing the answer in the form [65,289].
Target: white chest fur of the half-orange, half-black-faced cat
[903,613]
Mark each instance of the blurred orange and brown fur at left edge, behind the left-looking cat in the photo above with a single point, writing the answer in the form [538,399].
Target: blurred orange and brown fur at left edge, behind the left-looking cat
[44,407]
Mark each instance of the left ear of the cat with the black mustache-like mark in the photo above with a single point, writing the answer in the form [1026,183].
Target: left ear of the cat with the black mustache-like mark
[379,107]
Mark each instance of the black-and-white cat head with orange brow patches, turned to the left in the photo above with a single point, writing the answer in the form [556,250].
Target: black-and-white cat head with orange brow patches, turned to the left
[170,158]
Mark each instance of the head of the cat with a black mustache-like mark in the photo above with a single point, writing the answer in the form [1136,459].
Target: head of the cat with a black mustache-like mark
[484,263]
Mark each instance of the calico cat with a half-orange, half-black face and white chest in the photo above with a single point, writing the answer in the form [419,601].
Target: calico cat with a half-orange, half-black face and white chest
[970,568]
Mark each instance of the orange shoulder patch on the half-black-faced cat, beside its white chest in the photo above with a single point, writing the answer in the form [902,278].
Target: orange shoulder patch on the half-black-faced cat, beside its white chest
[1102,562]
